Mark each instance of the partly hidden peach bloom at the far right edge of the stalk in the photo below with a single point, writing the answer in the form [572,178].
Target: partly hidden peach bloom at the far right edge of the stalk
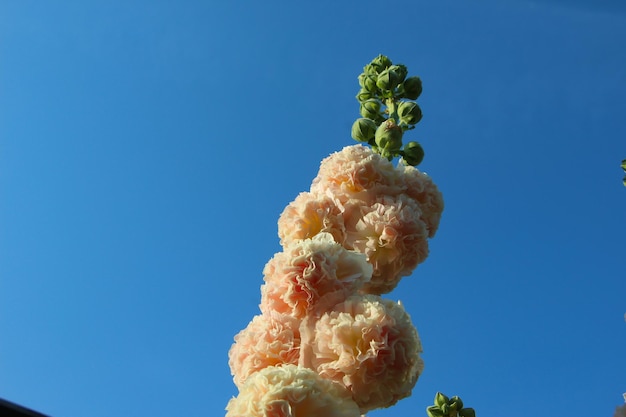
[422,189]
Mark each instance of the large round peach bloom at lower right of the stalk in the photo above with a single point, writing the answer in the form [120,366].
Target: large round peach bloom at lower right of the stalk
[369,345]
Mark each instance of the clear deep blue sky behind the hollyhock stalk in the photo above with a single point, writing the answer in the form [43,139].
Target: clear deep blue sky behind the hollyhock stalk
[147,149]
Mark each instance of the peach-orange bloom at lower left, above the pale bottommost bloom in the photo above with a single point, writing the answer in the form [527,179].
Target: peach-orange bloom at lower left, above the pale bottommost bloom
[268,340]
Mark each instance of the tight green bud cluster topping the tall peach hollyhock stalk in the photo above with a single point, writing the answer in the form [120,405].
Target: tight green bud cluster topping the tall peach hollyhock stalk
[388,109]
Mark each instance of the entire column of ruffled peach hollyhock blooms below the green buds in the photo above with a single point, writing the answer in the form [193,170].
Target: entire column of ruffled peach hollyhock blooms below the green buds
[326,342]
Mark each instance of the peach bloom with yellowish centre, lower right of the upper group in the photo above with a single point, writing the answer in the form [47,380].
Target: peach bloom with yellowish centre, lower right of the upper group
[393,237]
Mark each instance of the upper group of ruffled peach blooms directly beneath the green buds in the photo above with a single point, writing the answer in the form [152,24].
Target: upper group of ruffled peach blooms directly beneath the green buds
[369,206]
